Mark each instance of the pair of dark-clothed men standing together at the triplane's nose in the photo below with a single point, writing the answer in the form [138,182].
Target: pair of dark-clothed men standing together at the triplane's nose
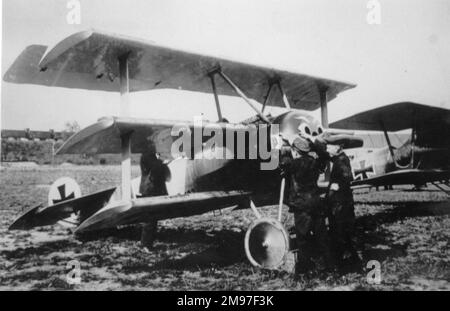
[323,225]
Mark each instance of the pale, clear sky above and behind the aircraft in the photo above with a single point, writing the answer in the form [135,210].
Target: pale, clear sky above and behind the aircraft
[404,58]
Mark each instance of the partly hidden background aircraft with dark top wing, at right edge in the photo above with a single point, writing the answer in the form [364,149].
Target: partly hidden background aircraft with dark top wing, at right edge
[421,159]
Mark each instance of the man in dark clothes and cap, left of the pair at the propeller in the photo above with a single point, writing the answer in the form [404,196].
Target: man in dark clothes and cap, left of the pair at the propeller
[302,170]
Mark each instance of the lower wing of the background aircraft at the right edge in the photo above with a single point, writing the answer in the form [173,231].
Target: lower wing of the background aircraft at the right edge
[405,177]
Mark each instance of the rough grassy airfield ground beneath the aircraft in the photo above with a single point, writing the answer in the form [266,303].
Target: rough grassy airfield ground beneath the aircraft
[407,232]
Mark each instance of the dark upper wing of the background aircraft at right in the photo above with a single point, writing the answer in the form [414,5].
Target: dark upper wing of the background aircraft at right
[395,117]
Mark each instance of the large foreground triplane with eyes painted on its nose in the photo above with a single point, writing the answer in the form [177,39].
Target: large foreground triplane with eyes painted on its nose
[93,60]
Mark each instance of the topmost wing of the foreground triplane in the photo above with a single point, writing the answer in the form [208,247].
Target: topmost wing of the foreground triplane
[88,60]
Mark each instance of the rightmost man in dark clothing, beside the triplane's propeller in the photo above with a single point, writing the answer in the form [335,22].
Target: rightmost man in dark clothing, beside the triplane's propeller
[341,213]
